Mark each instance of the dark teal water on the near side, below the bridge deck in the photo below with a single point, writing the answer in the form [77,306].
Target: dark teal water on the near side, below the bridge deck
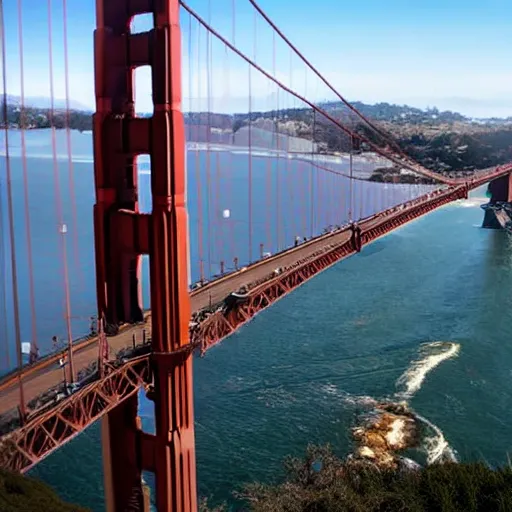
[422,314]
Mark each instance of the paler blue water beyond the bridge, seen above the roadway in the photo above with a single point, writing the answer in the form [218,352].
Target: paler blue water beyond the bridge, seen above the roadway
[282,207]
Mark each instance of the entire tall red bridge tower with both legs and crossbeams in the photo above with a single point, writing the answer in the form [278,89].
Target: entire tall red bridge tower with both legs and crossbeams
[123,234]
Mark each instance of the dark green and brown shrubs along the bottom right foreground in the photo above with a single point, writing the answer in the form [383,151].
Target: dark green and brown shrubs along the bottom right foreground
[321,482]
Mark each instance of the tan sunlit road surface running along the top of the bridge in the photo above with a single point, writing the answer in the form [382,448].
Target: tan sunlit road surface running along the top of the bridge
[47,374]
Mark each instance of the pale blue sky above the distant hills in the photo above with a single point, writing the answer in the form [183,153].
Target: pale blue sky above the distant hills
[453,54]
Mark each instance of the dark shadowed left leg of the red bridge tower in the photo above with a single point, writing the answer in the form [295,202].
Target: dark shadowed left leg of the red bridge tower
[119,229]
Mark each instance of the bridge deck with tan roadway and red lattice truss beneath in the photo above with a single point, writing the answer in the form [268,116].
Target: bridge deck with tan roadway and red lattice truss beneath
[60,421]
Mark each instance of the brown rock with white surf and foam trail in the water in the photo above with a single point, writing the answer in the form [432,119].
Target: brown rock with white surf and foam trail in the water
[390,426]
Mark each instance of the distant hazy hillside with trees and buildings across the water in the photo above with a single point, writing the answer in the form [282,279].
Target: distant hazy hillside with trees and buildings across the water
[442,141]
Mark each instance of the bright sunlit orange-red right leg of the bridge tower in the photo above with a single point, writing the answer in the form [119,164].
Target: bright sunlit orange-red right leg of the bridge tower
[174,443]
